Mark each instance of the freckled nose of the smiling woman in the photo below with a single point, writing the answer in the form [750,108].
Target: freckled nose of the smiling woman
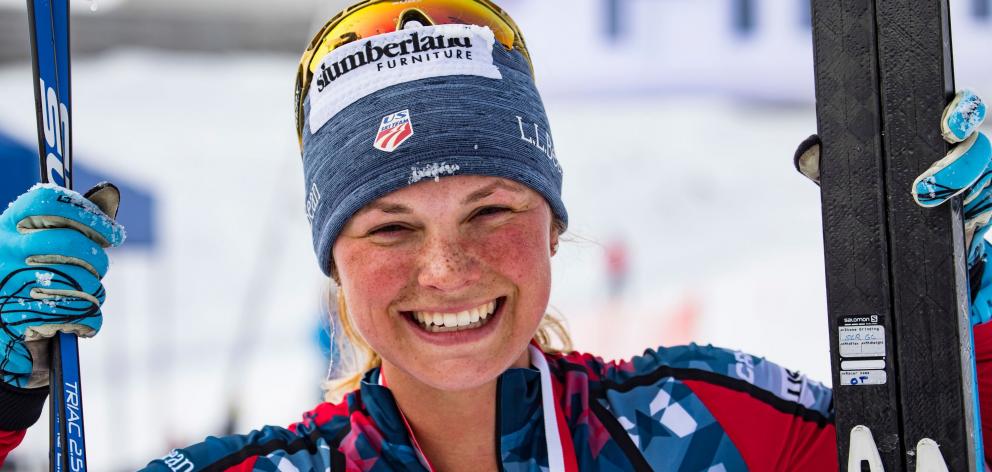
[446,265]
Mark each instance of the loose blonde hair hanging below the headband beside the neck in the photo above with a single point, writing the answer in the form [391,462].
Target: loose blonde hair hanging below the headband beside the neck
[357,357]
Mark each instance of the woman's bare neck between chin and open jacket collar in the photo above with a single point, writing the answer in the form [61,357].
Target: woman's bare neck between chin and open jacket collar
[456,430]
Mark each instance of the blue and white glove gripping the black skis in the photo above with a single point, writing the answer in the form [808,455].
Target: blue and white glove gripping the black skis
[966,170]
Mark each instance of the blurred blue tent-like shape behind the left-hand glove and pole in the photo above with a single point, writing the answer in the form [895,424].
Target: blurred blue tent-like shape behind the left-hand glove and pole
[19,171]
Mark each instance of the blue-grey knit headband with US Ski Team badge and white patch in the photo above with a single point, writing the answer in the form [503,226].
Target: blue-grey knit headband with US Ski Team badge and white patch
[391,110]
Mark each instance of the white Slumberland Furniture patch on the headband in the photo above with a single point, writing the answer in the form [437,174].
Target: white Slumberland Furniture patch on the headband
[361,68]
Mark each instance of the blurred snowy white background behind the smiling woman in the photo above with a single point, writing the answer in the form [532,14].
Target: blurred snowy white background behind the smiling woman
[675,121]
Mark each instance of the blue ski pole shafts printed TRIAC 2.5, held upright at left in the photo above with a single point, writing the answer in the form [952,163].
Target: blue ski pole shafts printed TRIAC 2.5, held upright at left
[49,25]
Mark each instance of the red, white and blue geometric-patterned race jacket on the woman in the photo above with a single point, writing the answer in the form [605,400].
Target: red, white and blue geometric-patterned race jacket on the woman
[690,408]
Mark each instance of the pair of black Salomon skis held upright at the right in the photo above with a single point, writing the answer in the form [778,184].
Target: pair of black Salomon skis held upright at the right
[902,358]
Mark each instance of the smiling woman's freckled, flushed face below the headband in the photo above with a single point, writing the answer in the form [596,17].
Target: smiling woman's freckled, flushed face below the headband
[447,280]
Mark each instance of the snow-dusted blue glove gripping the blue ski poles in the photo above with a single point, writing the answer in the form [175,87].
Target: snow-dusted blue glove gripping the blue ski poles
[52,260]
